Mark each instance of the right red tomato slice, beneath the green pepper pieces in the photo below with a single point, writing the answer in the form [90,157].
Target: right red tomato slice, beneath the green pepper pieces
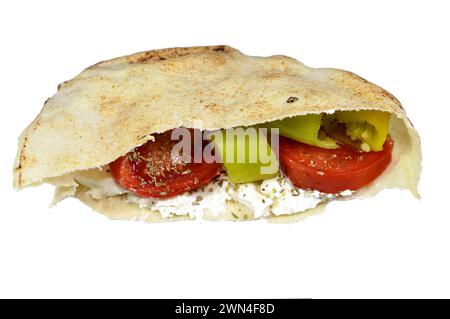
[331,170]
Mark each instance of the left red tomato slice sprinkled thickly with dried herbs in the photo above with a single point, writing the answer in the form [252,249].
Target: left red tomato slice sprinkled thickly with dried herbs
[150,170]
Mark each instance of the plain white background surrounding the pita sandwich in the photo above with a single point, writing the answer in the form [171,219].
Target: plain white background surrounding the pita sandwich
[389,246]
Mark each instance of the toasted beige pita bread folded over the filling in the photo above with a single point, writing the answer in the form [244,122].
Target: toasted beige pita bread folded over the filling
[115,105]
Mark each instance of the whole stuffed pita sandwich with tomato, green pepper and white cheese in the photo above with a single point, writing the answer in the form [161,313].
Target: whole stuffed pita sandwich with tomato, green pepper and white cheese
[211,133]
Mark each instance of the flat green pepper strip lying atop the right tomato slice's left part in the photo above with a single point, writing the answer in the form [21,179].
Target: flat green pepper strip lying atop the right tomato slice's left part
[303,128]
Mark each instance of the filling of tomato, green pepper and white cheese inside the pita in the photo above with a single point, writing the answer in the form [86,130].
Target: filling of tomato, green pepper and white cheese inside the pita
[299,163]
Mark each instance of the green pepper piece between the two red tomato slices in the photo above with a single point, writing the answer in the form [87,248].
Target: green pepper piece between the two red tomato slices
[246,154]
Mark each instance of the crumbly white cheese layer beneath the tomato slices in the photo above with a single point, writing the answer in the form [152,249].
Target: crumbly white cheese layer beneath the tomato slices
[275,196]
